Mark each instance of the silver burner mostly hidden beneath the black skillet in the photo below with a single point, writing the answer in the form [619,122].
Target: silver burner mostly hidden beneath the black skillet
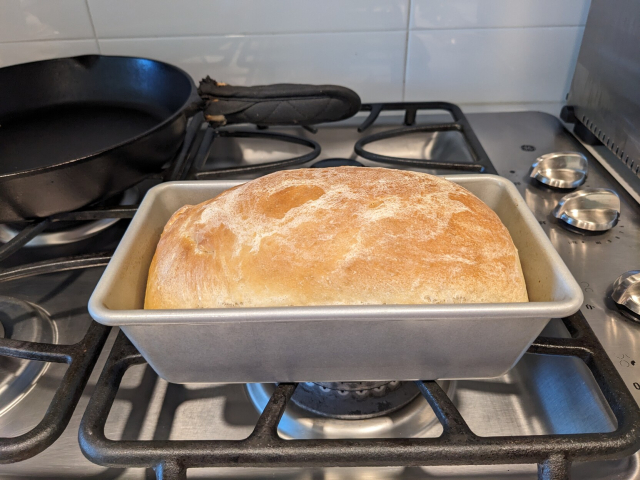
[65,233]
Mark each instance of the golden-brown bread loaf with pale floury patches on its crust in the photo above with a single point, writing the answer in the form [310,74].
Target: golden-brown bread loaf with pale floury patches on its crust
[335,236]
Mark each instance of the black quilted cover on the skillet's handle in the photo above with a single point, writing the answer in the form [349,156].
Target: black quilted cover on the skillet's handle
[280,104]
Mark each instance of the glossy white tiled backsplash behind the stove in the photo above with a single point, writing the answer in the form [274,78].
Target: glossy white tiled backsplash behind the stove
[482,54]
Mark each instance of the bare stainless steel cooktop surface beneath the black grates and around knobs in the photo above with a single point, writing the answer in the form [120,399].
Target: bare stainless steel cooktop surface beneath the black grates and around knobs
[540,395]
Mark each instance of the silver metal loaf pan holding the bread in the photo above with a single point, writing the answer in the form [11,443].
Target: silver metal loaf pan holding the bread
[333,343]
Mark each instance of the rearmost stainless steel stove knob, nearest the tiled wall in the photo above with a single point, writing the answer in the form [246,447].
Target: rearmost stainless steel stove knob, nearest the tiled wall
[561,169]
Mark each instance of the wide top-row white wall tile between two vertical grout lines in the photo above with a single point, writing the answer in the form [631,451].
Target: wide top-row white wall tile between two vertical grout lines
[157,18]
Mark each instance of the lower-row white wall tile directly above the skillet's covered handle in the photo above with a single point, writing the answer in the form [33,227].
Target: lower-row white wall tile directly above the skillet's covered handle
[370,63]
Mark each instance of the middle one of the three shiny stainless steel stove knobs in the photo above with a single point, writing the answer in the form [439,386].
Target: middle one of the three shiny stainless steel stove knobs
[592,209]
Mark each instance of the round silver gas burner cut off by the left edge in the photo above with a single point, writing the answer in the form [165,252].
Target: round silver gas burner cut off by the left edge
[25,321]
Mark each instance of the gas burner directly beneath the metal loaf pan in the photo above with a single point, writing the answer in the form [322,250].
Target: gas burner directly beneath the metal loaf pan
[411,417]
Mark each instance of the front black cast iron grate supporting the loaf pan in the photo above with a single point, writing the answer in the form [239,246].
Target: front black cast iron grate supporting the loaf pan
[457,445]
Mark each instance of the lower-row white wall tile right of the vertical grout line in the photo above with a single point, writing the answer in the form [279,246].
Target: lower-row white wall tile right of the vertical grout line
[504,65]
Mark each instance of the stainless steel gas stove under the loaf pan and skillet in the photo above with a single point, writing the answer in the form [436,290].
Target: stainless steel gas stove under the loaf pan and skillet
[541,395]
